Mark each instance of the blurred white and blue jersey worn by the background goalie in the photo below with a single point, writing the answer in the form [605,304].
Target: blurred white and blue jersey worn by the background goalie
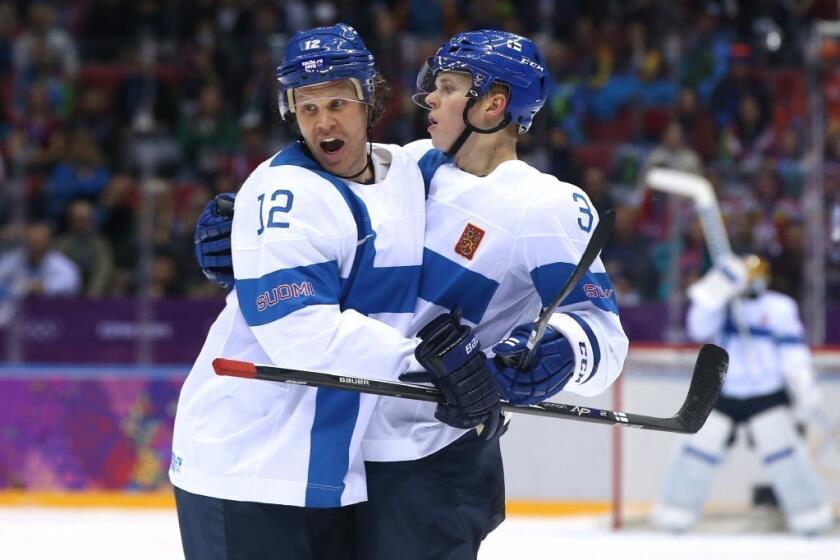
[760,362]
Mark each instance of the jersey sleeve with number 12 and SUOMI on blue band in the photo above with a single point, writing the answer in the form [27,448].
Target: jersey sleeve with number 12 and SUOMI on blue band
[294,242]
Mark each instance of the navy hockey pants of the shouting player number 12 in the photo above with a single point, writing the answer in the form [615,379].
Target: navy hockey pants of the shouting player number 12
[216,529]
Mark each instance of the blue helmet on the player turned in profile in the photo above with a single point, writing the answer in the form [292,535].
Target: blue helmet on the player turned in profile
[491,56]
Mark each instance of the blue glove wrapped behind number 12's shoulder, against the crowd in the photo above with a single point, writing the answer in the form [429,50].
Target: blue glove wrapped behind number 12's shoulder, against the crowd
[212,240]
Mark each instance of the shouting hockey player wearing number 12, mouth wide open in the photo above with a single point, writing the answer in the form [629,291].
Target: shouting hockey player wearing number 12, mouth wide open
[327,243]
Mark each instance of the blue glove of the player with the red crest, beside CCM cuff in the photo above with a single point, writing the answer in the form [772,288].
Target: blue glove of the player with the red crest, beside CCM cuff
[554,363]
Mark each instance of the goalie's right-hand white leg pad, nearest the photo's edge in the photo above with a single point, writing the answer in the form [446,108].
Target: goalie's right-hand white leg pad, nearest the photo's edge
[788,465]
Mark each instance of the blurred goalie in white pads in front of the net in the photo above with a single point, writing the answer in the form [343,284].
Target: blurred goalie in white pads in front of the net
[770,387]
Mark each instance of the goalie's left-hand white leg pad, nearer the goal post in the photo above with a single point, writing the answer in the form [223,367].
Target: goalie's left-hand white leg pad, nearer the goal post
[690,476]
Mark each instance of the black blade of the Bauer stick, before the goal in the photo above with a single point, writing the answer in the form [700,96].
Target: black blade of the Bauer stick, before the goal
[706,381]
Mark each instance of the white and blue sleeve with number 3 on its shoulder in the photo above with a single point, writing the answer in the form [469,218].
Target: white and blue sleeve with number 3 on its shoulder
[551,239]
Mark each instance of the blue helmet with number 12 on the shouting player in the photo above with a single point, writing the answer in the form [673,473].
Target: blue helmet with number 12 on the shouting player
[325,54]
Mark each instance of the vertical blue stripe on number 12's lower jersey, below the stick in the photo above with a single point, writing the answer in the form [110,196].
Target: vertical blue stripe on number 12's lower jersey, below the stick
[332,429]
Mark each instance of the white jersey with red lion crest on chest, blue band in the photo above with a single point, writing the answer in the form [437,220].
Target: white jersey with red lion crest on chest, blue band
[501,247]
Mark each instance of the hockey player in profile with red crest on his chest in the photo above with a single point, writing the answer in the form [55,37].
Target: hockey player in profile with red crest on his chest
[501,239]
